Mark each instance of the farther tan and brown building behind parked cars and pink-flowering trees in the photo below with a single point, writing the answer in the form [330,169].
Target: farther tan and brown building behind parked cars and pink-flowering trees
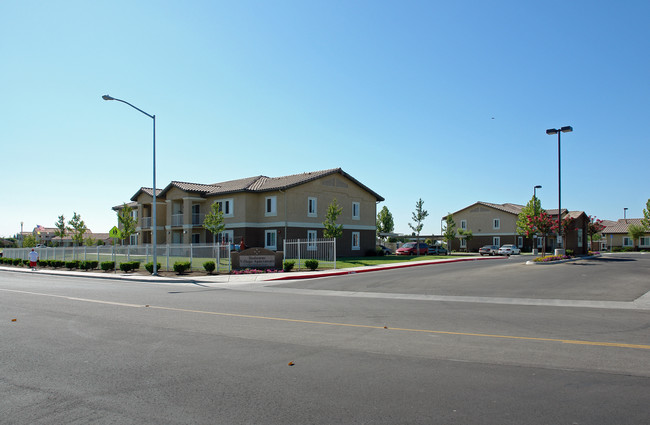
[496,224]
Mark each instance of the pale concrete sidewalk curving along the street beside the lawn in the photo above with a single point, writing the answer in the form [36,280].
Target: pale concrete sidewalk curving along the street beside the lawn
[243,278]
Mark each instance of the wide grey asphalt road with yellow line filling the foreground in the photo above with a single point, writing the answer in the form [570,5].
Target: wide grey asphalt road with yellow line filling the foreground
[101,351]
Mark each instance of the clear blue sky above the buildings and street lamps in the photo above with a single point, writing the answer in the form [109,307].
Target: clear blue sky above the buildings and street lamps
[444,101]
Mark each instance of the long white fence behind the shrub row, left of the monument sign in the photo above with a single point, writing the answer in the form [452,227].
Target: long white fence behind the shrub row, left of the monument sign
[167,255]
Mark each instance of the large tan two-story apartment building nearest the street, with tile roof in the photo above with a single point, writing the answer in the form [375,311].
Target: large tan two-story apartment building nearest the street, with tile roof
[264,211]
